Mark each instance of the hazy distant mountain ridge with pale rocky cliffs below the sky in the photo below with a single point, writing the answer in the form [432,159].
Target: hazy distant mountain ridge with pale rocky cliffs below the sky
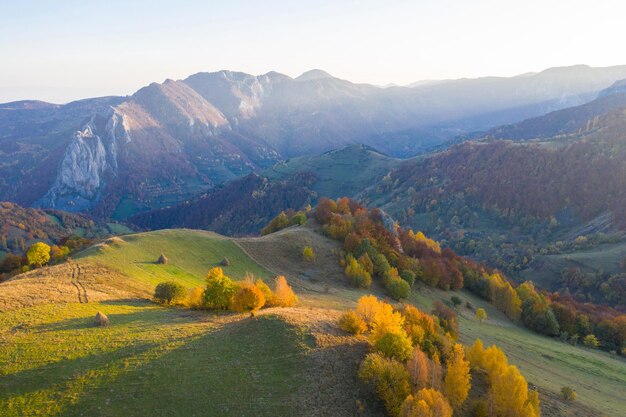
[168,142]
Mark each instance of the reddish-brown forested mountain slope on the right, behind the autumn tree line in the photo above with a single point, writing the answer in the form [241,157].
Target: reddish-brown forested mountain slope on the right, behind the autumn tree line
[528,205]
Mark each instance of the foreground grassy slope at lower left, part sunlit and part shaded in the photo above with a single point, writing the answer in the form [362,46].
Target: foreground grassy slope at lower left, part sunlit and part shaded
[152,361]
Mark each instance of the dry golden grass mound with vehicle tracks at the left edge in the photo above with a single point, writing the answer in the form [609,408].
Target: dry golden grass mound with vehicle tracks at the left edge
[68,283]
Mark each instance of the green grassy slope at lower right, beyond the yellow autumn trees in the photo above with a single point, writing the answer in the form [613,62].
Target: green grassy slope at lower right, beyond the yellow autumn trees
[597,377]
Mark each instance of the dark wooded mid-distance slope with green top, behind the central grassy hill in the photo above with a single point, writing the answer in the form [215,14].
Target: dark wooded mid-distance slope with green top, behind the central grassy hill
[243,206]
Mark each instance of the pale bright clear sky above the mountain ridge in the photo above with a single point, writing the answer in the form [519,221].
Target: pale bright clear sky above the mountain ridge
[60,51]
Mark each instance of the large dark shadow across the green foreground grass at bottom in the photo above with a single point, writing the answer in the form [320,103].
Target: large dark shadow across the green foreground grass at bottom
[249,367]
